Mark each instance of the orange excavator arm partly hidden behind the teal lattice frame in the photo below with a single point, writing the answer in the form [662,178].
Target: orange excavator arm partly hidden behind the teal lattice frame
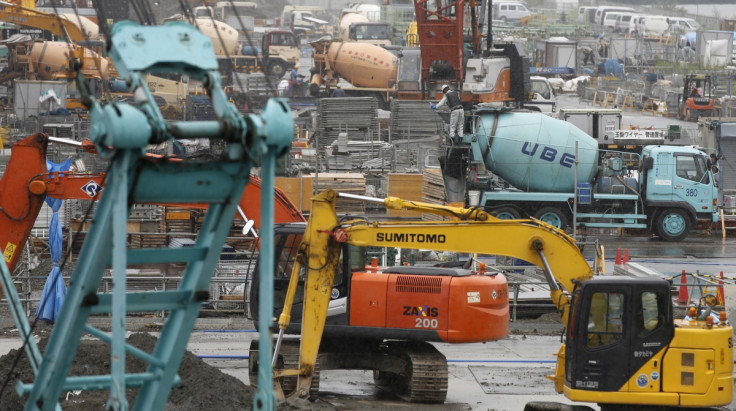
[26,182]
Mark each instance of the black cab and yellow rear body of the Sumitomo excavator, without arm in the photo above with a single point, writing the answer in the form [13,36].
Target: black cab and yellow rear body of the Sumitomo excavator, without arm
[625,346]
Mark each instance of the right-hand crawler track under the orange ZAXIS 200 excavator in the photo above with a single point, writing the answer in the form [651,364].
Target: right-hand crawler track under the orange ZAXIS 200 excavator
[424,379]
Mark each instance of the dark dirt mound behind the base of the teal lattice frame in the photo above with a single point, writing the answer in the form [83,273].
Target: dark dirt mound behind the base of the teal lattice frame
[202,386]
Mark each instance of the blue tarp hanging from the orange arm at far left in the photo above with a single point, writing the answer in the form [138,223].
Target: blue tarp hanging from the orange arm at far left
[54,290]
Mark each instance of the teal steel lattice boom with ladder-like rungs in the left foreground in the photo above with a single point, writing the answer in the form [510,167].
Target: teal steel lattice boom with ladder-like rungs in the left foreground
[121,133]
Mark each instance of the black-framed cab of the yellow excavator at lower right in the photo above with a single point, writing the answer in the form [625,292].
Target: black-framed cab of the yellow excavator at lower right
[617,330]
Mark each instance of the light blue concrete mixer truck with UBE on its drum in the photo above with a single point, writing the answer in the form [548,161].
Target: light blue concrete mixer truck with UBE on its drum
[518,164]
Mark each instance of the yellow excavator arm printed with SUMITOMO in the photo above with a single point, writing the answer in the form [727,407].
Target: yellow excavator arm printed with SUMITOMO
[475,231]
